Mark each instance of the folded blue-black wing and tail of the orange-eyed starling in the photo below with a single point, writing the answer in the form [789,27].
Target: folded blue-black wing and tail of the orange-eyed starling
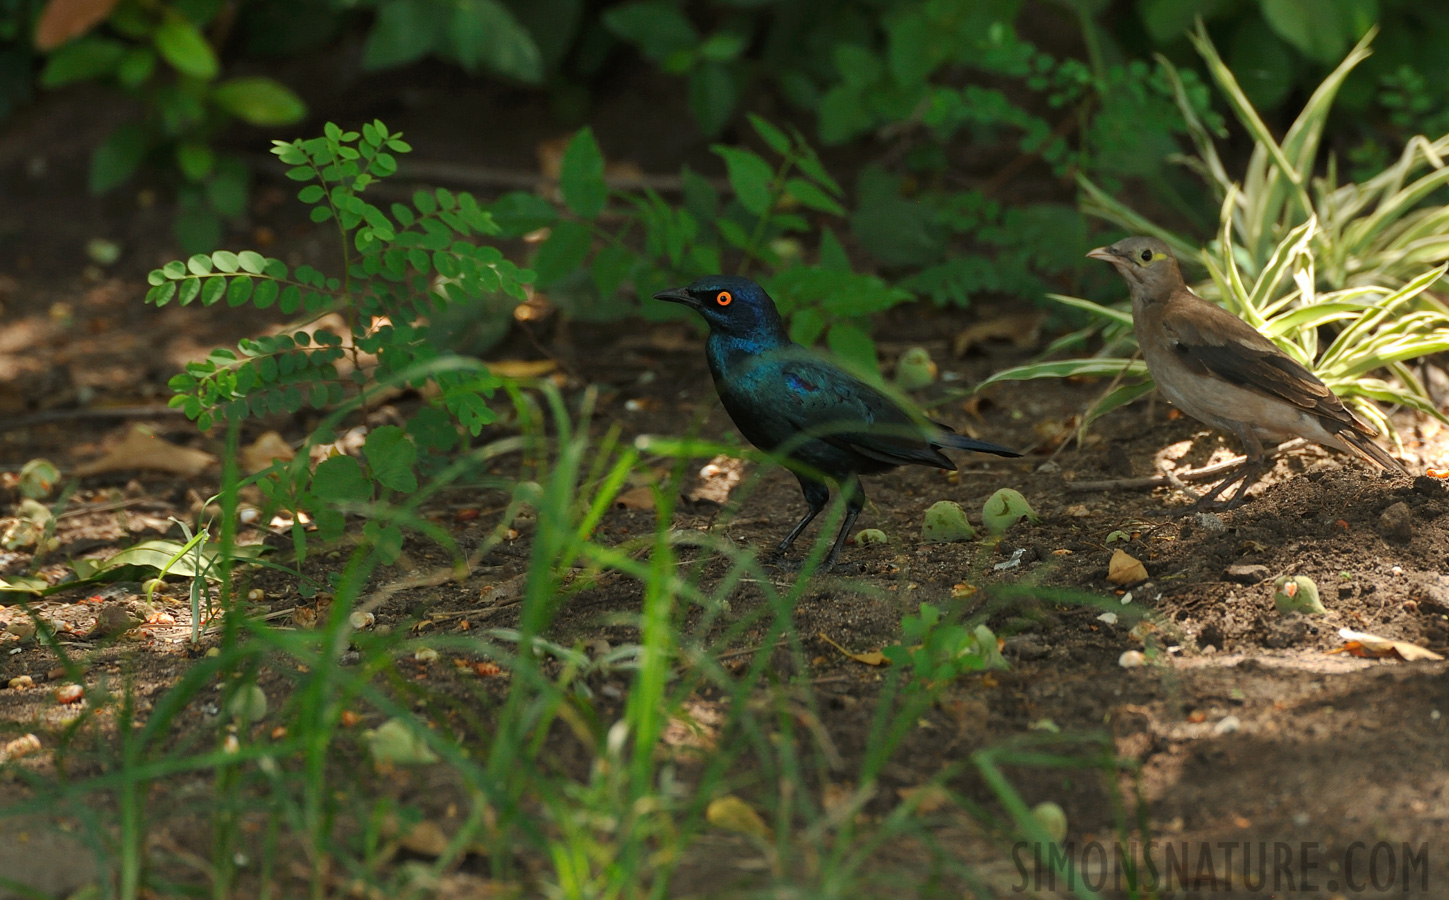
[825,402]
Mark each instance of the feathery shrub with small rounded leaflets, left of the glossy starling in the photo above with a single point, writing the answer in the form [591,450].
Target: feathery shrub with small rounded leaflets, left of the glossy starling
[402,267]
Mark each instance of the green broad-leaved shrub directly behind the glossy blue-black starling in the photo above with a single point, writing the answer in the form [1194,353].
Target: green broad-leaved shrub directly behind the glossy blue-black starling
[589,260]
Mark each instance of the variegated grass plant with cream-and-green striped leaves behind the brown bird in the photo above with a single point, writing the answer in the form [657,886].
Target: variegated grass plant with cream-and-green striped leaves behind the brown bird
[1298,254]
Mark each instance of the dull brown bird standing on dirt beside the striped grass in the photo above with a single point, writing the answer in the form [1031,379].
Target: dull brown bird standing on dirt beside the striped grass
[1219,370]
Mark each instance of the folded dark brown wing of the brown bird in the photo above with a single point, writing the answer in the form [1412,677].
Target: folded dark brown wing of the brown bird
[1214,341]
